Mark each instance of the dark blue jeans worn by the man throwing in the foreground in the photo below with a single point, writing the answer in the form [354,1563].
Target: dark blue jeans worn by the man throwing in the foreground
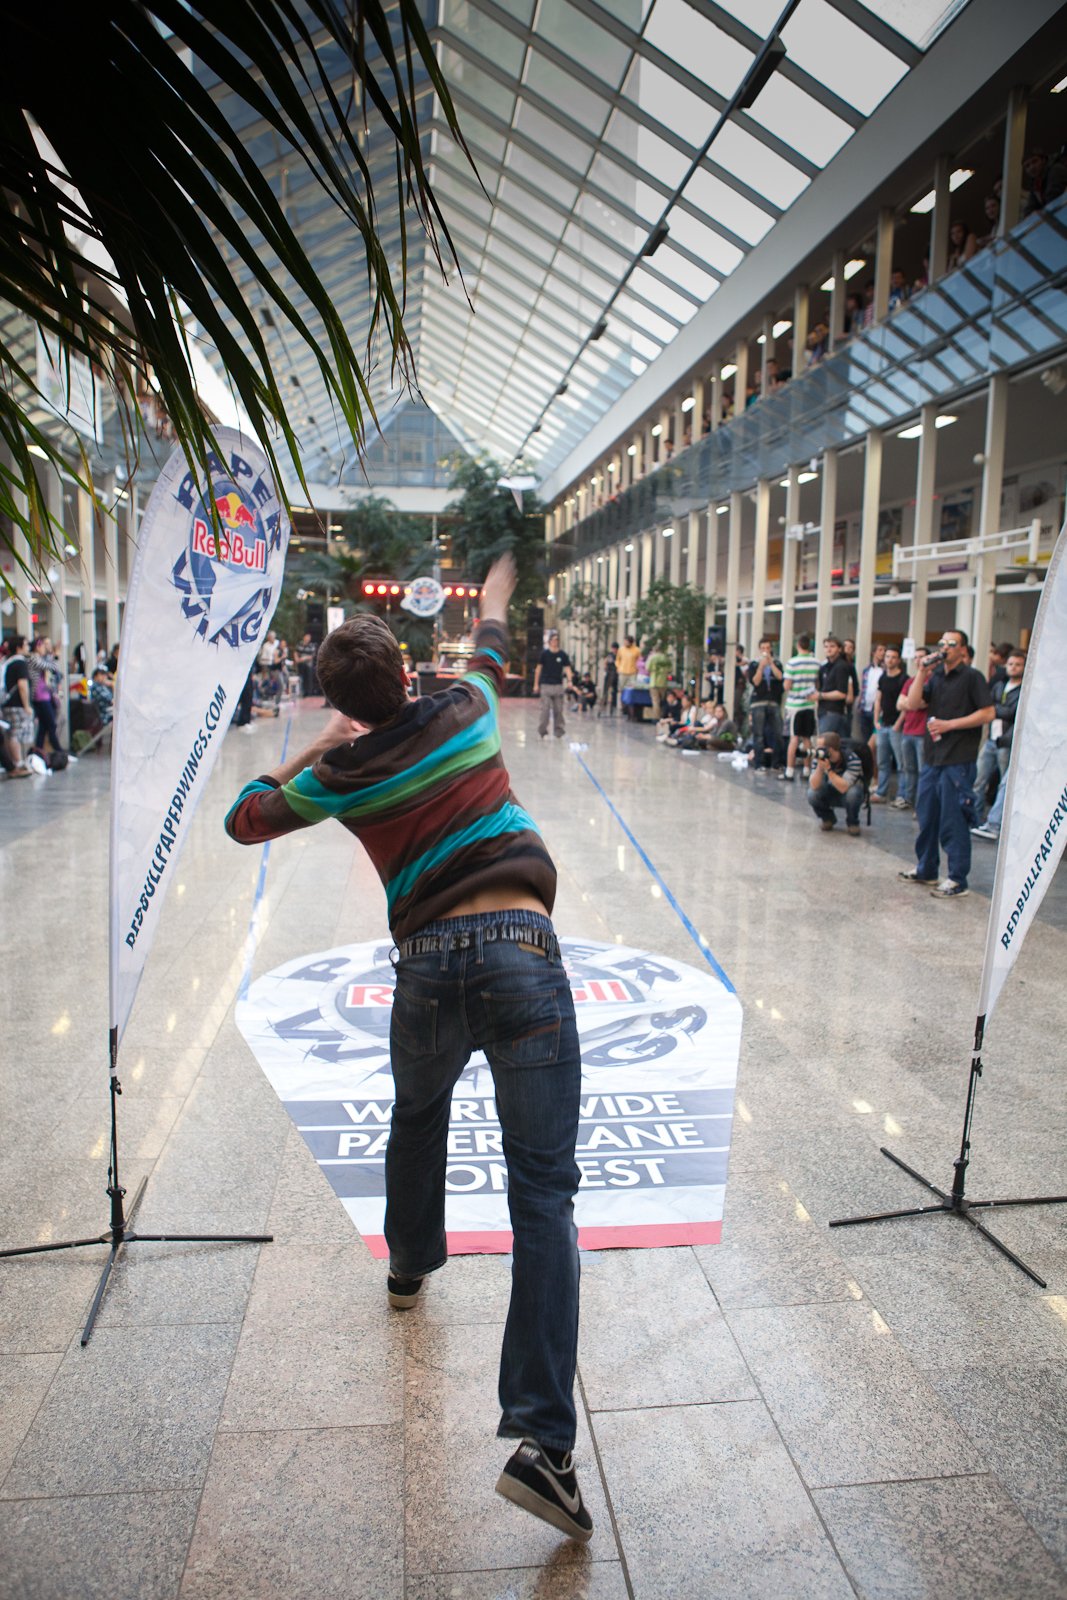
[513,1002]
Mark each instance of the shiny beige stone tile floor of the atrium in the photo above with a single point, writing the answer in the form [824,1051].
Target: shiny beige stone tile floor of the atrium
[797,1412]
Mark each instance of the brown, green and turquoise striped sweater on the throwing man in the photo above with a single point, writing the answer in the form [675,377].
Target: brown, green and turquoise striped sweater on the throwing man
[428,796]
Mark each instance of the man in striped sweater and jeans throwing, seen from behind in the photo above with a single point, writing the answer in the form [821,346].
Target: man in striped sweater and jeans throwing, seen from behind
[470,889]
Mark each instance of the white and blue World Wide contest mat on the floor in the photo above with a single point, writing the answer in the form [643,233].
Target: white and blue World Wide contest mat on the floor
[660,1062]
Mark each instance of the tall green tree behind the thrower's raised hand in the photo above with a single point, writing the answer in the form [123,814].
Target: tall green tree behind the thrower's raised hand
[487,522]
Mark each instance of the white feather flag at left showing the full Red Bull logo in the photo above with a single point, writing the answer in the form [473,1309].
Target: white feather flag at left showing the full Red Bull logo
[201,598]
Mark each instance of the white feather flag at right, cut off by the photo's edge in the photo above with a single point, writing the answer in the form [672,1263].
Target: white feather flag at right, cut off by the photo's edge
[1036,810]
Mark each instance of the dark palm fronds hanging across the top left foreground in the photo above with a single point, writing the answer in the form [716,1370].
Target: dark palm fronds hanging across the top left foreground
[137,223]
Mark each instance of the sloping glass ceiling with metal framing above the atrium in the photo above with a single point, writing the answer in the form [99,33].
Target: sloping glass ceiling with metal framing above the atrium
[583,121]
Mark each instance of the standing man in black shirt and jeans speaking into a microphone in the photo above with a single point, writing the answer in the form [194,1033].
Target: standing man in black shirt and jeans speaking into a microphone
[961,706]
